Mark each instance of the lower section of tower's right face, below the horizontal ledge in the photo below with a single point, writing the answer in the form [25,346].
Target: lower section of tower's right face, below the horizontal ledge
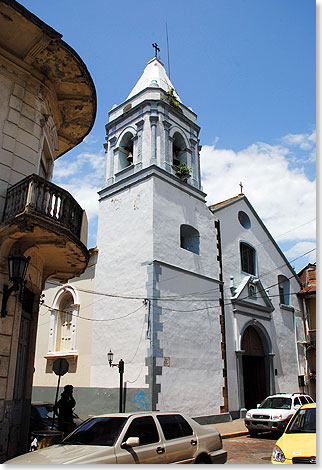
[190,340]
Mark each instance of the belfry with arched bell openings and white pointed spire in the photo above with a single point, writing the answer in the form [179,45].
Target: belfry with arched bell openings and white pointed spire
[152,127]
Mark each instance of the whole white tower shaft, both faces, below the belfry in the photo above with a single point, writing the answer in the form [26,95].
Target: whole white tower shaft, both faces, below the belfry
[140,226]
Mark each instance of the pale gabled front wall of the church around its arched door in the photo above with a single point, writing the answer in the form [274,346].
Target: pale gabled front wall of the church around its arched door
[281,326]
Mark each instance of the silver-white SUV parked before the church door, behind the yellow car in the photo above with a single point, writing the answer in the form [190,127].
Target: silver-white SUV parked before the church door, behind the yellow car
[274,412]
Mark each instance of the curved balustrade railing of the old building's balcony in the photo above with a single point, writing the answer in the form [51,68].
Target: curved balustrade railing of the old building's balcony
[40,197]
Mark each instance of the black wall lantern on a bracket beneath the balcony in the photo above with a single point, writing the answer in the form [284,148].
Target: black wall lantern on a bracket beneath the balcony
[17,267]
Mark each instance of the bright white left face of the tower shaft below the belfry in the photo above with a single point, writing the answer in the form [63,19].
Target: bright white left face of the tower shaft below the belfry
[125,244]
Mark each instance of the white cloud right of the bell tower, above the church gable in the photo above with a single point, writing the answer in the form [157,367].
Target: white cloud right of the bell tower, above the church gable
[282,196]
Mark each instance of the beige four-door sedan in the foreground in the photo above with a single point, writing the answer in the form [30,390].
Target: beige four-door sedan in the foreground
[130,438]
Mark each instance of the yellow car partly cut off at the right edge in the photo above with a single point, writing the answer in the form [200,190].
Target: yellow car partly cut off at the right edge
[298,443]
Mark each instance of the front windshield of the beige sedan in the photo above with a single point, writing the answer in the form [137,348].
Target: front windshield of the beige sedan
[97,432]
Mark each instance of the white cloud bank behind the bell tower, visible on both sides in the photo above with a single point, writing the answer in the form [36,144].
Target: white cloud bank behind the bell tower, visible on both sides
[282,194]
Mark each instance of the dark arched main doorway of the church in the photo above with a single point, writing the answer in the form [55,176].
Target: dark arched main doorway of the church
[254,370]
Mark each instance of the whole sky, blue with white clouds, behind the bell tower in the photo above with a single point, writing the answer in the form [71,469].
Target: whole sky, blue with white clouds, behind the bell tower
[246,67]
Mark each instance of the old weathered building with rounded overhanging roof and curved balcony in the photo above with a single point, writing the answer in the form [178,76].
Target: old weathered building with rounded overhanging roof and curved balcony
[47,107]
